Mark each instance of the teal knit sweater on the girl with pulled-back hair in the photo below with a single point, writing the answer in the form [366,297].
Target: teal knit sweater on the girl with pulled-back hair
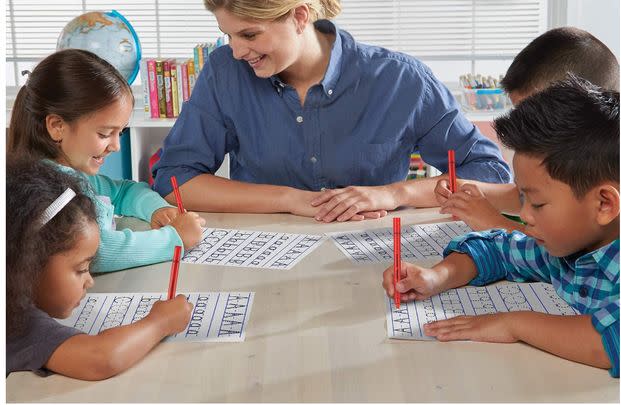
[123,249]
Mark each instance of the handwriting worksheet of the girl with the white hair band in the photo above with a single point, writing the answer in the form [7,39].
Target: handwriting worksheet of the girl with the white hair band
[216,316]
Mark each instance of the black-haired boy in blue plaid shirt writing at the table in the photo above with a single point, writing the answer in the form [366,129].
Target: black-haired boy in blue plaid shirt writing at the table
[566,142]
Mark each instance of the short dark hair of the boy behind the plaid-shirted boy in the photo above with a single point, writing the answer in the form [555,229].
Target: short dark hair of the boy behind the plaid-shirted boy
[553,54]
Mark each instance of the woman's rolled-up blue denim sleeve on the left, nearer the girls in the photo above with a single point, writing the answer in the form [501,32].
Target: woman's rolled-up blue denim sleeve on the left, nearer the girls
[198,141]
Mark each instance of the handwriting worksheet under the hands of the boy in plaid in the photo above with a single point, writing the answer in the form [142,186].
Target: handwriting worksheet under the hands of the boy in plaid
[407,321]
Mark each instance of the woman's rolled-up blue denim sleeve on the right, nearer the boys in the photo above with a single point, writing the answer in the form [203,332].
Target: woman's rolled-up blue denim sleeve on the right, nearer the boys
[443,126]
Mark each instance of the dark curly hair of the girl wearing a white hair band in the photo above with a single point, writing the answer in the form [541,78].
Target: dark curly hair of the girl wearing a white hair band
[31,186]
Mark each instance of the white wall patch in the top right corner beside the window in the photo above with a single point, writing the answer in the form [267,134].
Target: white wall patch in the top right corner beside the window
[599,17]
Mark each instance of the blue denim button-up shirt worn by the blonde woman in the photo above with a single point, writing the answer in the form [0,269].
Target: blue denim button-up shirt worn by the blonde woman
[373,108]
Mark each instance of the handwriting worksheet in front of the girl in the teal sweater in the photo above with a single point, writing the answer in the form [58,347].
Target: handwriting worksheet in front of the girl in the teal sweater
[267,250]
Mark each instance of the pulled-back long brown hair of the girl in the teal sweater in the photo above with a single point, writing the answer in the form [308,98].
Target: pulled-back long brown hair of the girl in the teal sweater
[71,83]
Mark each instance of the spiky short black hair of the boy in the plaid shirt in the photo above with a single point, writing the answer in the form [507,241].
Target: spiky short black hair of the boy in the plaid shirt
[573,126]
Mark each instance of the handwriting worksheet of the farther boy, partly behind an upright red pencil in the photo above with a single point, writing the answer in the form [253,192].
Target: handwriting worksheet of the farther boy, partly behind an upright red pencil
[417,242]
